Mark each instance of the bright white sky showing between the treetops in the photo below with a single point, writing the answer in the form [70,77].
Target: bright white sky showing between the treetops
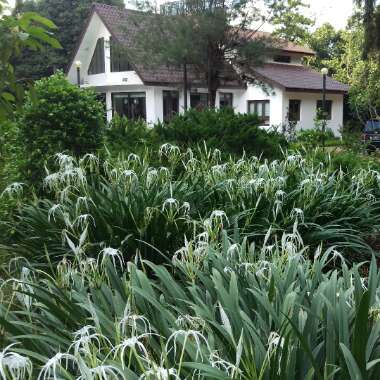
[335,12]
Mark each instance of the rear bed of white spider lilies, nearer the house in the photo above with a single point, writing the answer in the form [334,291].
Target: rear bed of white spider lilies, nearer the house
[129,204]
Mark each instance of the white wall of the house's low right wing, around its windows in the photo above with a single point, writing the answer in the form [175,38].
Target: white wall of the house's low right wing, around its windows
[309,108]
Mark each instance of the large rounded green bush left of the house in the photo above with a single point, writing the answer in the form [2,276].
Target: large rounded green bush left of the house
[58,116]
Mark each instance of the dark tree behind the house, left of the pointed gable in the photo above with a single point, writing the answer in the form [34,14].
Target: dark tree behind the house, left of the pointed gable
[69,16]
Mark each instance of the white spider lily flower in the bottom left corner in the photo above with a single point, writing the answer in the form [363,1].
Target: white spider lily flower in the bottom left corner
[14,366]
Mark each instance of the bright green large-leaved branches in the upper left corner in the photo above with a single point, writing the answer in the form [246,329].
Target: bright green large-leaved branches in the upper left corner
[29,30]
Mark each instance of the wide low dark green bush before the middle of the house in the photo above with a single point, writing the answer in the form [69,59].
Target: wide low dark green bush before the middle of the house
[223,129]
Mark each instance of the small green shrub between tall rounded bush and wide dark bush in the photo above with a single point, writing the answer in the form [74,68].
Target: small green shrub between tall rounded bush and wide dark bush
[126,136]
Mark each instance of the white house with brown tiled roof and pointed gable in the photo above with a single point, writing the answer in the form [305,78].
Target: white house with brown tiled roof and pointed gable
[292,92]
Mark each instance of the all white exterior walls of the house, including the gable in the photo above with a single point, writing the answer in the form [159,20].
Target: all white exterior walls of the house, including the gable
[110,82]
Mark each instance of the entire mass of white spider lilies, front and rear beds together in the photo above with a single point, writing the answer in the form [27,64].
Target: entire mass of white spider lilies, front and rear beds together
[241,294]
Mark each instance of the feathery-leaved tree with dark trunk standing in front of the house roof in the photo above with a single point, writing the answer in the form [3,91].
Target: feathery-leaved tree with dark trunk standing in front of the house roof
[205,35]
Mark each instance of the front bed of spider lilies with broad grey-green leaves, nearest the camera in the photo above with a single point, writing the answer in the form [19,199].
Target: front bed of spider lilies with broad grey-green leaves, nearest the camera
[218,310]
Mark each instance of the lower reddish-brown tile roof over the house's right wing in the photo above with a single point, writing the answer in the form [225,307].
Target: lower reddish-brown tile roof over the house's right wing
[297,78]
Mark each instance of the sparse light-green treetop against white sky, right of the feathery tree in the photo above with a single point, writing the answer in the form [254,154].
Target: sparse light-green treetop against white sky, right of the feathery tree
[289,22]
